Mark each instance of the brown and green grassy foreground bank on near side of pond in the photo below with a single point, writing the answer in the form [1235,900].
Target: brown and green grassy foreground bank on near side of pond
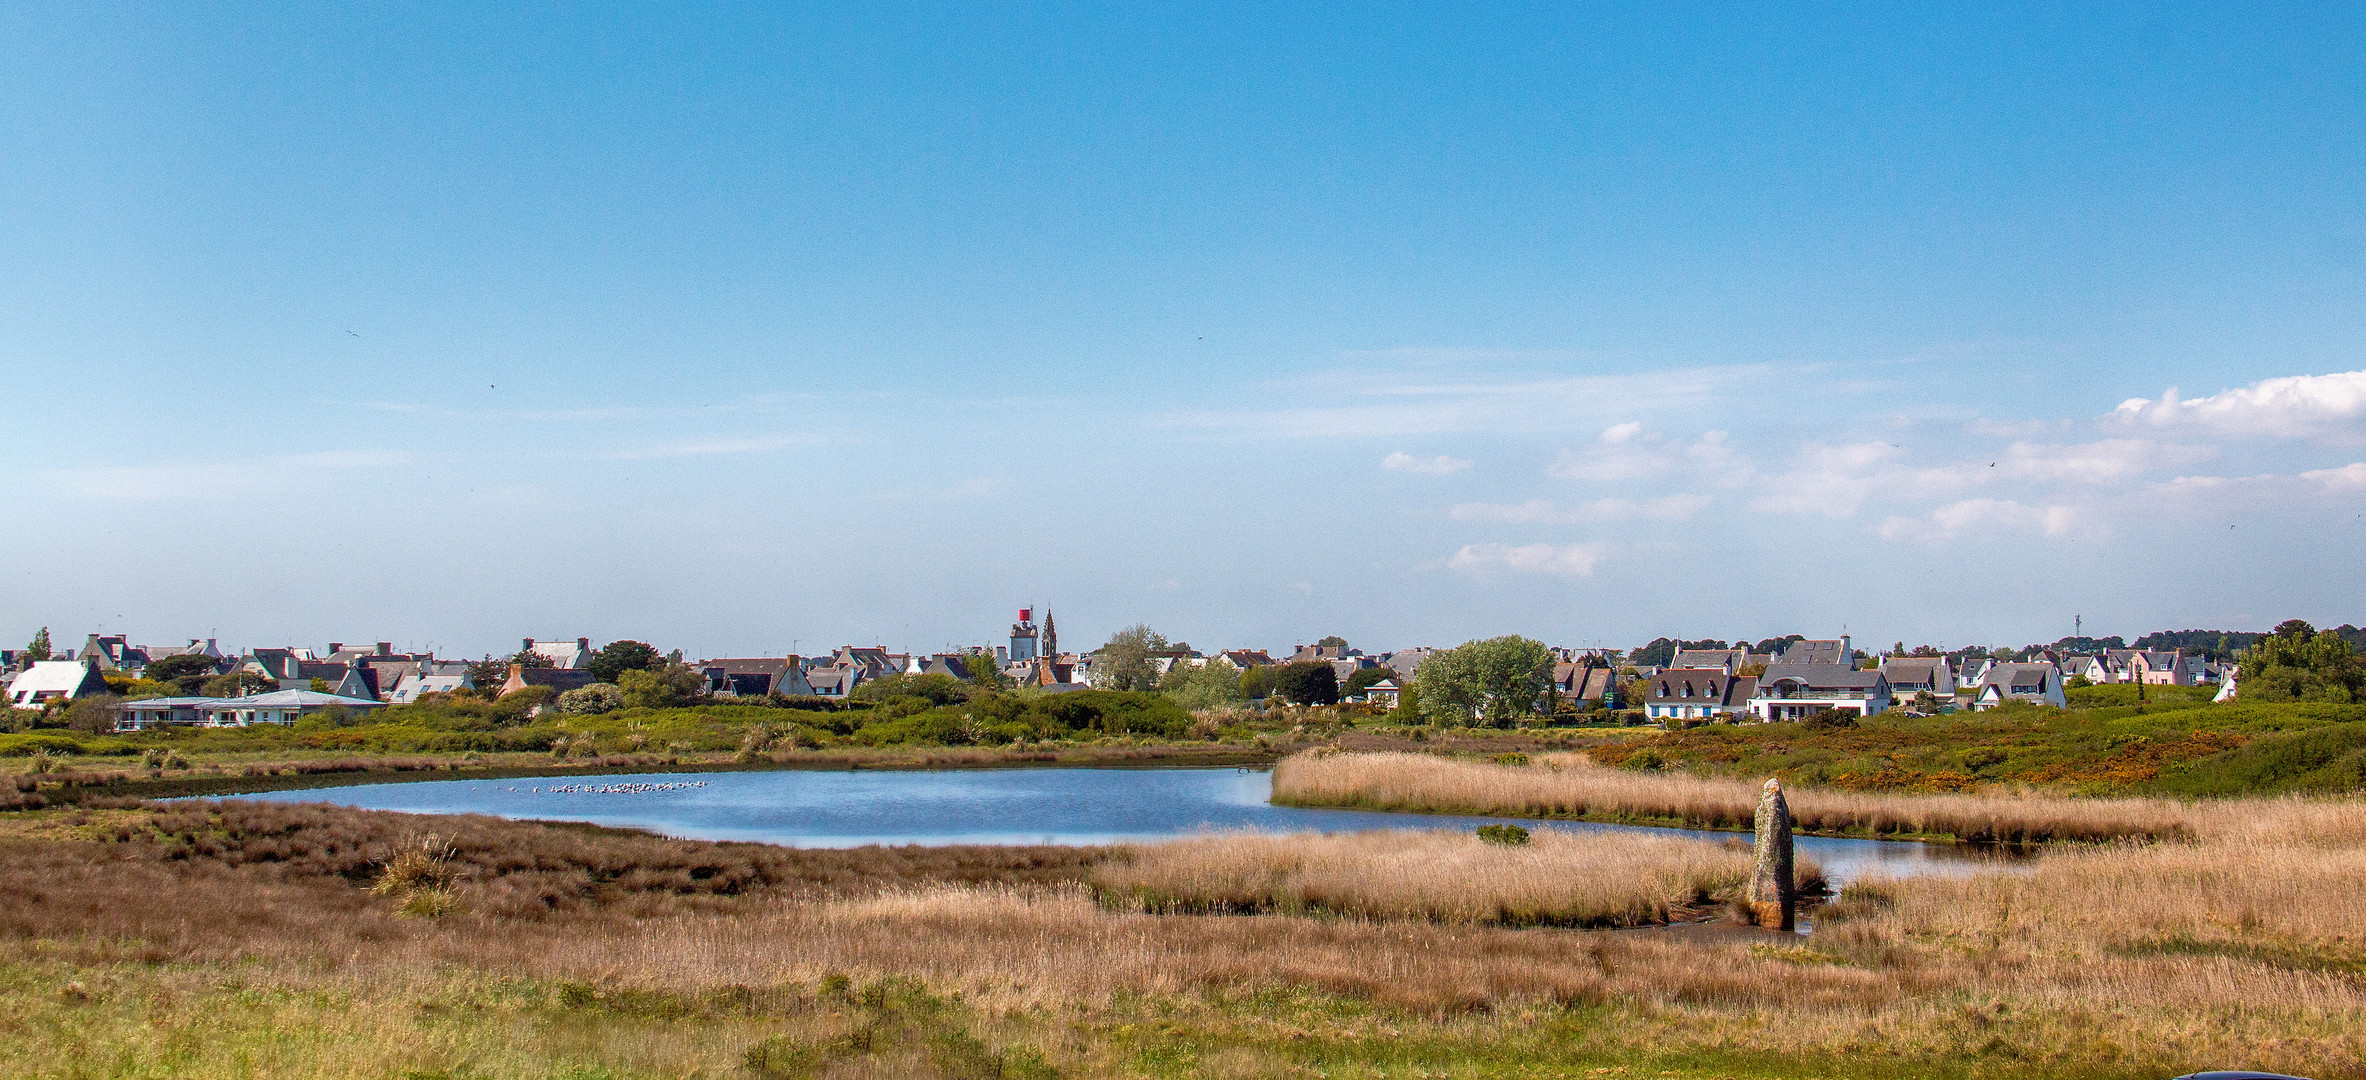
[254,941]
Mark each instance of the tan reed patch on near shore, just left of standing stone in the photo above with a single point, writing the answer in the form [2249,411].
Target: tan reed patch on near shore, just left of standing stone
[1556,880]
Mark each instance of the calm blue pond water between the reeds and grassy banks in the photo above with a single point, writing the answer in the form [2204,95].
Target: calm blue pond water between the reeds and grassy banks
[988,806]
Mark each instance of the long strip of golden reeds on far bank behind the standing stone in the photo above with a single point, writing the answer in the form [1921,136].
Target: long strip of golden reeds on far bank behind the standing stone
[1567,785]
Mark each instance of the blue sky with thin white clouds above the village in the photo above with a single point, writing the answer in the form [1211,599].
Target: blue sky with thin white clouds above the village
[744,330]
